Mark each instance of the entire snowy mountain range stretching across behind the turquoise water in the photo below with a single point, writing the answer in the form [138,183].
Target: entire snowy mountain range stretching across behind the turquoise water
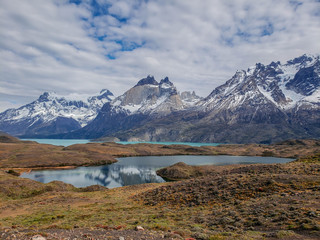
[263,104]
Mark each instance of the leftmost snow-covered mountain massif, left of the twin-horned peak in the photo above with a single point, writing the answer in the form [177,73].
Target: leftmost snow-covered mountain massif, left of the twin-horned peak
[52,113]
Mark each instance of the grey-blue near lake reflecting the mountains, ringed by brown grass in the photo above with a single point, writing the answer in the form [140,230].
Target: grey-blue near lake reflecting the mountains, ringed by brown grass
[137,170]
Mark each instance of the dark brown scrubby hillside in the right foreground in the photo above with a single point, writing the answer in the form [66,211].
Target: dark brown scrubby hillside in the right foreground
[263,198]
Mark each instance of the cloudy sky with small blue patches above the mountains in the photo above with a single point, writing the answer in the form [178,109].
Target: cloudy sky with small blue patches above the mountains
[83,46]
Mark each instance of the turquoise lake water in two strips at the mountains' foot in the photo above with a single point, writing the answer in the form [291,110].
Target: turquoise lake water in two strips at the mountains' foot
[68,142]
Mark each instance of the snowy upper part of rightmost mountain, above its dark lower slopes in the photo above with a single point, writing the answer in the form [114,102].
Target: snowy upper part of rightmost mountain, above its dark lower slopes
[283,86]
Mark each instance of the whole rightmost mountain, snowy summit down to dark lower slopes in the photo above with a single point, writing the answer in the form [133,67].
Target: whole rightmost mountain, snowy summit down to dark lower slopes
[263,104]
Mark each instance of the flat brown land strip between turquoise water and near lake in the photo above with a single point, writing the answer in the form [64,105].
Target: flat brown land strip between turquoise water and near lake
[28,155]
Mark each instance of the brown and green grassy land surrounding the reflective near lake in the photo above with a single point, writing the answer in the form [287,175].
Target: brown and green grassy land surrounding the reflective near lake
[279,201]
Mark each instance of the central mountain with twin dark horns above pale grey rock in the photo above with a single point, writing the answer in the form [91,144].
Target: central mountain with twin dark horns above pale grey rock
[147,100]
